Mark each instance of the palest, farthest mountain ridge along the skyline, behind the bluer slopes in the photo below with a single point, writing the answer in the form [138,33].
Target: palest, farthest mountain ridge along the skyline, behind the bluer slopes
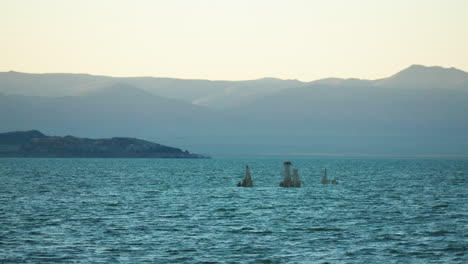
[217,94]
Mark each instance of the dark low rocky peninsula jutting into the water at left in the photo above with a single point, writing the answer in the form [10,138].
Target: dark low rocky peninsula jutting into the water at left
[35,144]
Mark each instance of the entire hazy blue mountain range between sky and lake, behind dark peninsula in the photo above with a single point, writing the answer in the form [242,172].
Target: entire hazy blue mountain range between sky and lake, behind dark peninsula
[418,111]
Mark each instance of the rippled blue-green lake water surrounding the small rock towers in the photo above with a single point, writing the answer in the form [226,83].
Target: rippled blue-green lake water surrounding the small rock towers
[188,211]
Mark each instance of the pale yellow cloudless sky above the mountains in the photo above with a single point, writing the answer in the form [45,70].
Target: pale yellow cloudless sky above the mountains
[233,40]
